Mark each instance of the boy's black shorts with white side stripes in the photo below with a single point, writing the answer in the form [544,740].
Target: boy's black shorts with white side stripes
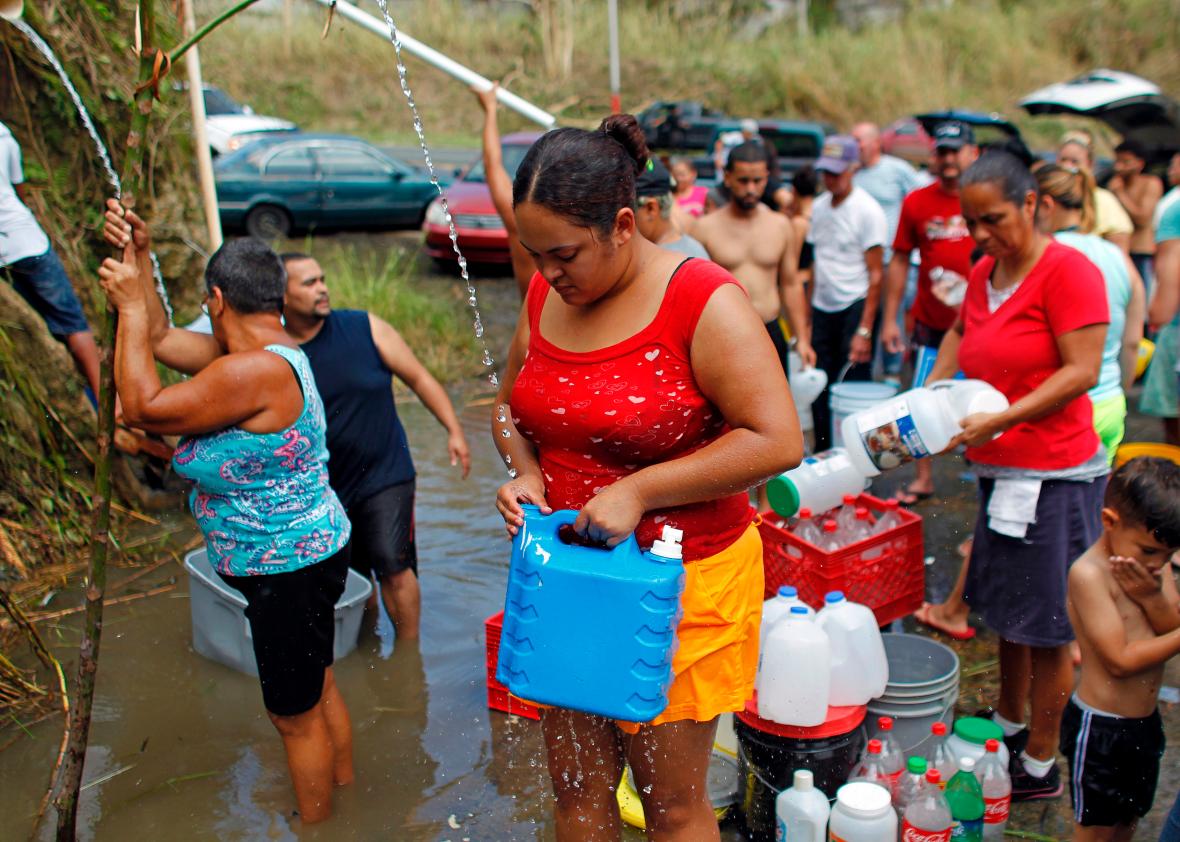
[1115,764]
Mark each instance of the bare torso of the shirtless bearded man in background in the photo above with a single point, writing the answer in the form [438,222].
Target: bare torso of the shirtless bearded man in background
[752,247]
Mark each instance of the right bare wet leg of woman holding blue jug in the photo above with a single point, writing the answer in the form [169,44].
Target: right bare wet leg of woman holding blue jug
[671,765]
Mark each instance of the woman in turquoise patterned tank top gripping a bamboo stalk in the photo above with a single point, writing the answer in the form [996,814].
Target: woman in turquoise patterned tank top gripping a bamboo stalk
[254,449]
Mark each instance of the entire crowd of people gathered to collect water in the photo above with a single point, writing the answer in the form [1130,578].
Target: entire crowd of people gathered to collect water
[638,287]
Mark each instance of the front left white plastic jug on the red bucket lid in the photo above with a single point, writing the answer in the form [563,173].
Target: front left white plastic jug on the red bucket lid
[795,683]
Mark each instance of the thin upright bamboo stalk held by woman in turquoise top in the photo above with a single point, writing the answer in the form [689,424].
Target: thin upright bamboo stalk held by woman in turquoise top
[68,782]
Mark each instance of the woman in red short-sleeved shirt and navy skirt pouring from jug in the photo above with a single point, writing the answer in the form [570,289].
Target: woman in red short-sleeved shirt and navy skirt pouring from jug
[1033,326]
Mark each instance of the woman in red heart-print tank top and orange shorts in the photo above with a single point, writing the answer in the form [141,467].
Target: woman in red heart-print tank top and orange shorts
[641,391]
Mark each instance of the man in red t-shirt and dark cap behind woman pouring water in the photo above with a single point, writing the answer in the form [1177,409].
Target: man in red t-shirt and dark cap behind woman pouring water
[932,222]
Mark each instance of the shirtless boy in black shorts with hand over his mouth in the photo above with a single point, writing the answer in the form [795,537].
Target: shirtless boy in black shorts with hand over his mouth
[1126,614]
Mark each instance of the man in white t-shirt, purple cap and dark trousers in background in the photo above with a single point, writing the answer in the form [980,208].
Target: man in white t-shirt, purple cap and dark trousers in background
[848,235]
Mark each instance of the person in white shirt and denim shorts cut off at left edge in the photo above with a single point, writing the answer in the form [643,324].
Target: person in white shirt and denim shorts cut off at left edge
[30,264]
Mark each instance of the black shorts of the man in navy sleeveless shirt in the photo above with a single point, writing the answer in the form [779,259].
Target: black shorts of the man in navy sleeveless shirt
[383,541]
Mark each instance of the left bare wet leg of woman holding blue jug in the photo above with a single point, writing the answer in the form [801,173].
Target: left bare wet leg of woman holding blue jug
[586,764]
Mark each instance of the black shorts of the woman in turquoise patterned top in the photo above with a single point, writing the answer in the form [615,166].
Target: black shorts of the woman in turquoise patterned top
[293,622]
